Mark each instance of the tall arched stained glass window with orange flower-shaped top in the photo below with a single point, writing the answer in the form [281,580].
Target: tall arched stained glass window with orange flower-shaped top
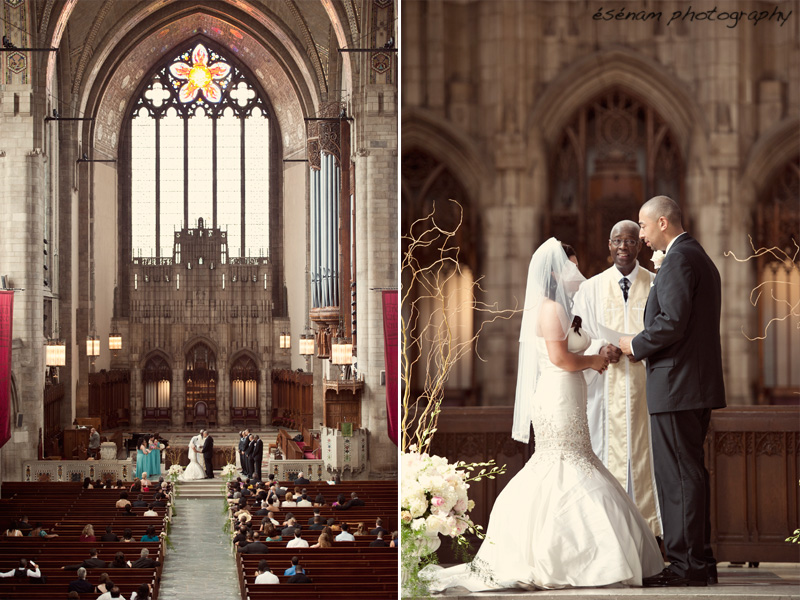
[200,149]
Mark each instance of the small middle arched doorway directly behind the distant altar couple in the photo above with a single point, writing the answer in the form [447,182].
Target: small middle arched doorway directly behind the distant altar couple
[201,387]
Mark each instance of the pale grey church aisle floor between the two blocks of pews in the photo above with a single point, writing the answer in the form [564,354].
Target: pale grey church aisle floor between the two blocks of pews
[200,565]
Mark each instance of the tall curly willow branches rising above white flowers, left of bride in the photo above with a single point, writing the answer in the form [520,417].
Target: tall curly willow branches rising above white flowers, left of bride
[424,287]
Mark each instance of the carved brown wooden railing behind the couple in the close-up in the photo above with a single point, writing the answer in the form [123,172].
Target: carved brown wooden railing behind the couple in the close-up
[752,454]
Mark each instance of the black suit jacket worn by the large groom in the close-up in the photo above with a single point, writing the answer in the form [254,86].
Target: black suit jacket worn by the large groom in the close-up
[681,339]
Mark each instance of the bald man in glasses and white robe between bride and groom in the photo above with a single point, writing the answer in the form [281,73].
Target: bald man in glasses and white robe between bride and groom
[619,423]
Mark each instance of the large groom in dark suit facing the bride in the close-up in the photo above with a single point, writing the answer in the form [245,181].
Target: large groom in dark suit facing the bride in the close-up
[681,342]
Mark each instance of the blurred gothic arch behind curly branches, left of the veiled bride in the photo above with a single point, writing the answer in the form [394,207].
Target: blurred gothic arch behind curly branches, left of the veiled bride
[428,184]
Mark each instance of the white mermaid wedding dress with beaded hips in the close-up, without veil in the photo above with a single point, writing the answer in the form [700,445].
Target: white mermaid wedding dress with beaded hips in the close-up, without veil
[563,520]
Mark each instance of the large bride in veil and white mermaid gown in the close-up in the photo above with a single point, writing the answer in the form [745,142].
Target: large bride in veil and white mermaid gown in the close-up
[563,520]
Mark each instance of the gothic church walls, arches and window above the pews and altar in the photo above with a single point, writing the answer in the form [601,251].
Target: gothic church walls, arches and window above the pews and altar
[198,211]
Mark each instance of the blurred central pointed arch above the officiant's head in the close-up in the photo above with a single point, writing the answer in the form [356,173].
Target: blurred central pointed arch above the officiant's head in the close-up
[615,153]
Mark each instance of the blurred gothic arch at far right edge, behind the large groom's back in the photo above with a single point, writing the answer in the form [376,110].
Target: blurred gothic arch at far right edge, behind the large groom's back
[777,295]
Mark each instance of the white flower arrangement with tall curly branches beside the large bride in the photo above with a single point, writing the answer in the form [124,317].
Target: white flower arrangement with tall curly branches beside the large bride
[434,499]
